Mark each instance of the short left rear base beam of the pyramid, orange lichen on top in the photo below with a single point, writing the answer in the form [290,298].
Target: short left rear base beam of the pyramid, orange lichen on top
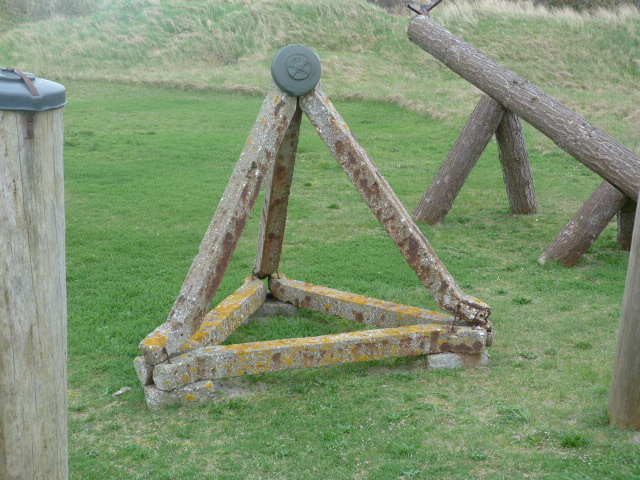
[232,312]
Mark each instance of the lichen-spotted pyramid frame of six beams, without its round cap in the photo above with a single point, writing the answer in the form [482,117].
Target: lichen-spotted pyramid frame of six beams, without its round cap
[183,354]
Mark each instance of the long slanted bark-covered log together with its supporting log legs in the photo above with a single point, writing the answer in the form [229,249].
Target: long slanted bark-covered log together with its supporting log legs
[508,98]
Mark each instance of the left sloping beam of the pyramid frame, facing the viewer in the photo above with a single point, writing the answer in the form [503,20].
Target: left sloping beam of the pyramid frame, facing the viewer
[223,234]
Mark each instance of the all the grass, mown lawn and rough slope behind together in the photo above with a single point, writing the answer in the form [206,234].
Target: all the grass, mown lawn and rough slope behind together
[150,143]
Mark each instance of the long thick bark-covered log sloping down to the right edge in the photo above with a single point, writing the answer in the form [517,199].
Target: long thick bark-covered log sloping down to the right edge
[585,142]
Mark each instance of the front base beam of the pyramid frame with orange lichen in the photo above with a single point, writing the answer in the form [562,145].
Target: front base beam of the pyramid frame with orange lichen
[276,355]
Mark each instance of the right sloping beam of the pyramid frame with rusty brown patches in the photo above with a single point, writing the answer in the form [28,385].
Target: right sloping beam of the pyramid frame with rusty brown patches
[389,210]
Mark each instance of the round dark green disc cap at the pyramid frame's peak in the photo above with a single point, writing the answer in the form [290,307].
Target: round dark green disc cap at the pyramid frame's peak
[296,69]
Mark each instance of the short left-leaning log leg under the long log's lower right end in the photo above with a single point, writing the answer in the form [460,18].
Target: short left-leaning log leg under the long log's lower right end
[586,226]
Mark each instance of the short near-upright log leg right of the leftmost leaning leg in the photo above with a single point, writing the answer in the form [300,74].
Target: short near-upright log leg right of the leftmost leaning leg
[516,169]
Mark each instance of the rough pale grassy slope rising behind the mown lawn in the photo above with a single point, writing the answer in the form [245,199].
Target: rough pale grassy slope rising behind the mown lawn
[588,61]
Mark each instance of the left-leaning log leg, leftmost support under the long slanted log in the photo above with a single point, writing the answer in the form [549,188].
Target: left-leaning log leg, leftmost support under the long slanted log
[473,139]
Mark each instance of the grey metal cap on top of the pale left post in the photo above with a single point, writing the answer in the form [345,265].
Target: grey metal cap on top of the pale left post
[26,92]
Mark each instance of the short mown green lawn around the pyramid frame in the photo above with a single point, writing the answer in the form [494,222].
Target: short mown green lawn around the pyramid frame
[145,169]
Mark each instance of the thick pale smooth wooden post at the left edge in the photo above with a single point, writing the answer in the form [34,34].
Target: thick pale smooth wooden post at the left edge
[33,299]
